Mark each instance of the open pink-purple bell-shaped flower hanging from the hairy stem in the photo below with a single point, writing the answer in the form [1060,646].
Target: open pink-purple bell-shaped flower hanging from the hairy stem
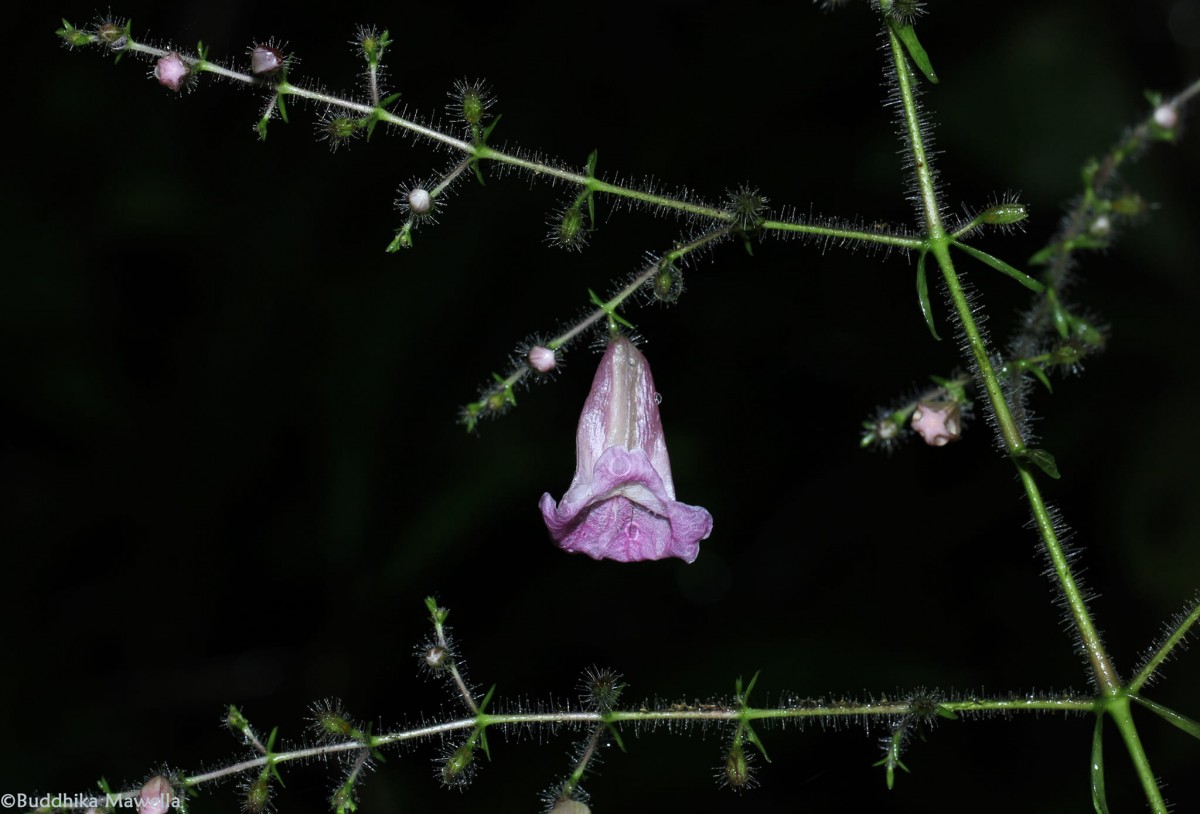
[621,505]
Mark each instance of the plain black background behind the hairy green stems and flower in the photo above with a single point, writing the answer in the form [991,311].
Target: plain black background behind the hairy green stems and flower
[233,472]
